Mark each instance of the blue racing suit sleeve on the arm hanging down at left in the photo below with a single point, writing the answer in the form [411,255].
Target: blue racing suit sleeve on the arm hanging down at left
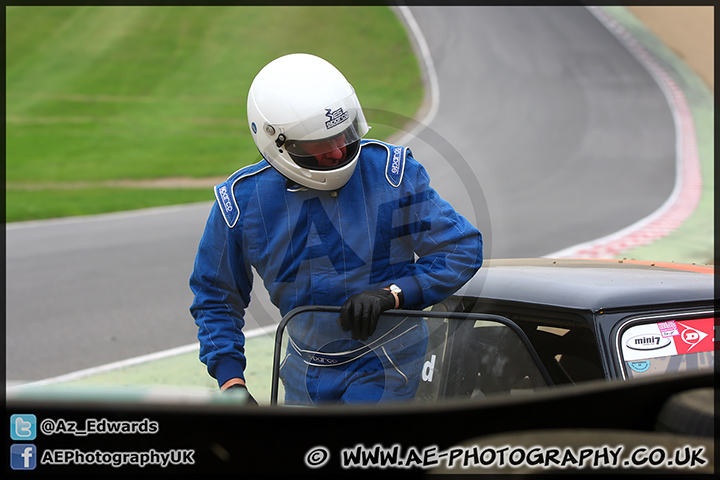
[221,282]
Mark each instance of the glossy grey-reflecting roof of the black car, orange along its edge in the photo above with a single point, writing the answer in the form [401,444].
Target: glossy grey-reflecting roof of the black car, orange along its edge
[591,284]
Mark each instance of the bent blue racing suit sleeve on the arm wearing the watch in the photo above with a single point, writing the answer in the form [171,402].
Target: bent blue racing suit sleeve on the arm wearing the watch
[449,248]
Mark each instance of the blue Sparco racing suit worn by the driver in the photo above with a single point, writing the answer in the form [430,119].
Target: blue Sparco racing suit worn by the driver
[386,225]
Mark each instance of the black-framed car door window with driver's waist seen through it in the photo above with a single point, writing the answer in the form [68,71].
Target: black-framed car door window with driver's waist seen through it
[413,357]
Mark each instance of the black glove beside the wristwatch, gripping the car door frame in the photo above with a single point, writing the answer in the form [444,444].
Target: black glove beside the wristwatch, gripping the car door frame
[360,312]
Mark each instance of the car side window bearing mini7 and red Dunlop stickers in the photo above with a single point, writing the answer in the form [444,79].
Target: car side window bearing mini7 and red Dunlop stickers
[668,344]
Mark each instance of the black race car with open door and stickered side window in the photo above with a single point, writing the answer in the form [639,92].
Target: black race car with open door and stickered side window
[525,324]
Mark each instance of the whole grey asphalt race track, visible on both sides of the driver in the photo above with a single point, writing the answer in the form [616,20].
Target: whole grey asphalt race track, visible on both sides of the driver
[543,125]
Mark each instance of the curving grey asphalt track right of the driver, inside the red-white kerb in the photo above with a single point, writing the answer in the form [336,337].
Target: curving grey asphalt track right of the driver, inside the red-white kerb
[556,121]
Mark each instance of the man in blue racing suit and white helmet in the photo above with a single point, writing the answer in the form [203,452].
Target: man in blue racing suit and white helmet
[327,218]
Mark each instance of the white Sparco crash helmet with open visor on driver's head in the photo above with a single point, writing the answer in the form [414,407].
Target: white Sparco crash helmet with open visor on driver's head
[300,103]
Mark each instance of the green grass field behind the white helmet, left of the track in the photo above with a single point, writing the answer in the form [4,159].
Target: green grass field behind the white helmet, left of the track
[106,93]
